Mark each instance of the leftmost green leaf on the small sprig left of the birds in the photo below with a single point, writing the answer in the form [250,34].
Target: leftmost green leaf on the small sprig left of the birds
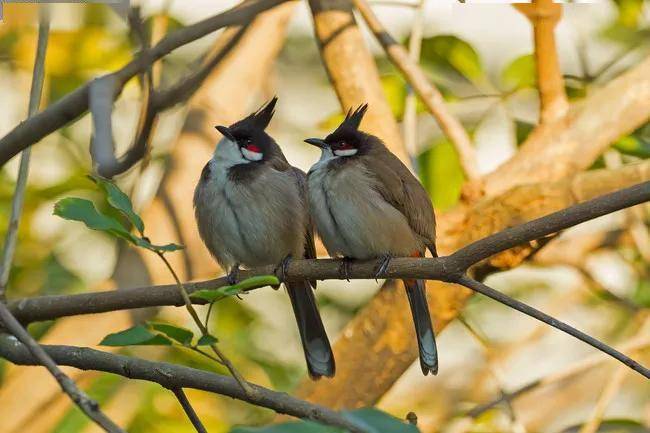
[79,209]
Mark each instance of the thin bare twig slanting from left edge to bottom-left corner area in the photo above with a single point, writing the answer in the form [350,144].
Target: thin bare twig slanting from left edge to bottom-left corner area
[40,357]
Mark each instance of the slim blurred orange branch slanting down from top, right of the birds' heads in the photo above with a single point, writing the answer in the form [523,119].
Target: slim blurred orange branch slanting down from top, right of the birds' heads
[427,92]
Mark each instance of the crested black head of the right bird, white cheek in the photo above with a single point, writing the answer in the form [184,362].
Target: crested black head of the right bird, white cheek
[346,140]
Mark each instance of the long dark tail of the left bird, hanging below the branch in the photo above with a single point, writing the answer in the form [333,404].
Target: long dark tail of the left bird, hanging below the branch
[318,352]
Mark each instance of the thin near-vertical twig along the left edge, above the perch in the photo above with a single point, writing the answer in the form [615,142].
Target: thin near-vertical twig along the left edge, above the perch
[23,171]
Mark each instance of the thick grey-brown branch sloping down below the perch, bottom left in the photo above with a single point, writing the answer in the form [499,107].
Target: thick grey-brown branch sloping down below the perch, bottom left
[174,376]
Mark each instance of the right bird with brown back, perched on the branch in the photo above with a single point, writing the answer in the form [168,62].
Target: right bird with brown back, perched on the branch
[366,204]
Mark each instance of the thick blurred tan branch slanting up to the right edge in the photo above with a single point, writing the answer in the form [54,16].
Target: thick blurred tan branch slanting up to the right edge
[571,144]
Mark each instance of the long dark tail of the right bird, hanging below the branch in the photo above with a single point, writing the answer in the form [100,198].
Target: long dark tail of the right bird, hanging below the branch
[415,290]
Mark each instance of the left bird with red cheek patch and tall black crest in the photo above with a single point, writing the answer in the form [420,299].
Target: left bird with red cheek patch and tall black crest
[251,209]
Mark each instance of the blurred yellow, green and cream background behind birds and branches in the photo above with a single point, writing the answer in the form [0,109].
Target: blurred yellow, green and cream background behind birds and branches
[595,276]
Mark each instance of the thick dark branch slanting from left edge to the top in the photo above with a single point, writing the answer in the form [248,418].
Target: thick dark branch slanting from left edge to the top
[75,103]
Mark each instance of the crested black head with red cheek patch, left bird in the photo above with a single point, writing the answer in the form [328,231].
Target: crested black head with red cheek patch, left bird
[249,135]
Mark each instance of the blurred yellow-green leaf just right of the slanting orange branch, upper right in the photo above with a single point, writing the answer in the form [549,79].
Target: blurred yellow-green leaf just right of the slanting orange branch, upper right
[450,55]
